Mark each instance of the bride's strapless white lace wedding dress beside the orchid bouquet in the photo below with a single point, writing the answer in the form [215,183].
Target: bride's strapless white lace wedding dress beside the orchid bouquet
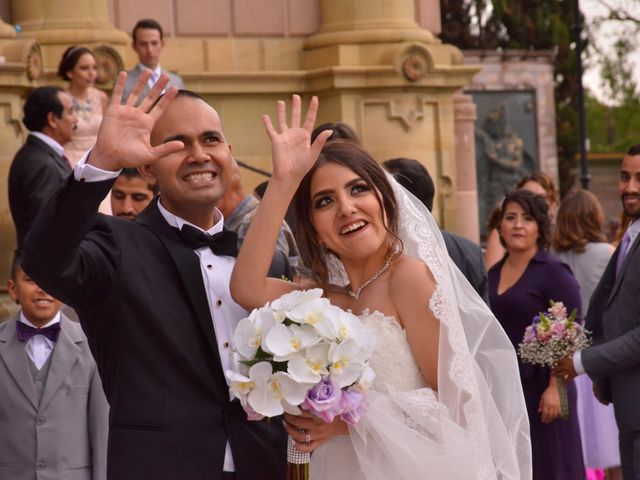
[401,436]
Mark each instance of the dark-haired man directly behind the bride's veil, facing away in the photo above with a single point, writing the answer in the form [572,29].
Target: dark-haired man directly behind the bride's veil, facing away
[467,256]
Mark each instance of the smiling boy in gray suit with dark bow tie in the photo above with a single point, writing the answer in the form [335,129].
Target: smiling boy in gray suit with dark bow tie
[53,412]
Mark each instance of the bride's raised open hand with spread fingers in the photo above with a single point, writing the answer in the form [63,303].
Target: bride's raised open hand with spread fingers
[292,152]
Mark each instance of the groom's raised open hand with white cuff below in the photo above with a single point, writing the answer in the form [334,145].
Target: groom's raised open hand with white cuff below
[124,135]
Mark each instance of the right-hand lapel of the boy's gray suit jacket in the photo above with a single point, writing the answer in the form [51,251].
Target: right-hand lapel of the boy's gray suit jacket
[64,356]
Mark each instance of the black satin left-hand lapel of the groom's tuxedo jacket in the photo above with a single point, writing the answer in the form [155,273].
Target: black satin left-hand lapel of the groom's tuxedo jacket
[188,265]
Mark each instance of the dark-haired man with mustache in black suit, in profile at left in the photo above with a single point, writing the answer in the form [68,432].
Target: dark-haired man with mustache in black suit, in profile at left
[39,167]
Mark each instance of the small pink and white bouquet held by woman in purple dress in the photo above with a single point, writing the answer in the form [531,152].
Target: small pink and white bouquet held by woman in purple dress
[551,336]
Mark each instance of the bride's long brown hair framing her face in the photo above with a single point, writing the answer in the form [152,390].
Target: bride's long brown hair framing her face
[353,157]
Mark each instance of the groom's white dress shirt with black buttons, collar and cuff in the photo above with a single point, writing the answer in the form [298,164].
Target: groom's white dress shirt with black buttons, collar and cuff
[216,273]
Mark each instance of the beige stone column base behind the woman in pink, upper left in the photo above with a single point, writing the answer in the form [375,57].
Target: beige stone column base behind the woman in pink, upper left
[57,24]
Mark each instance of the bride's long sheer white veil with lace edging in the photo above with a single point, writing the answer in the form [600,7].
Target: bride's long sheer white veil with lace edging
[476,425]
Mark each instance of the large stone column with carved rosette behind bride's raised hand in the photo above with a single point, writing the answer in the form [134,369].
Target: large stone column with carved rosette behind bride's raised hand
[377,70]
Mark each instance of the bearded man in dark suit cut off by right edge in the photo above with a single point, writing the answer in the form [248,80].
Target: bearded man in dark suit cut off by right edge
[613,362]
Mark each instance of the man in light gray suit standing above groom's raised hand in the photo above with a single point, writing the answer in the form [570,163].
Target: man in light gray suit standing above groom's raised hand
[148,42]
